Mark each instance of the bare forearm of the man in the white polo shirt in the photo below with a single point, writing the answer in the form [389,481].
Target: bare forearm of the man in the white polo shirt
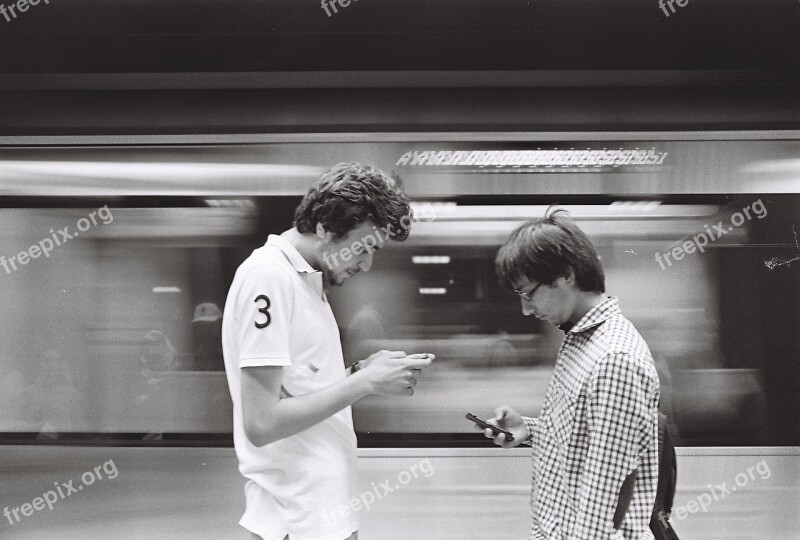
[292,415]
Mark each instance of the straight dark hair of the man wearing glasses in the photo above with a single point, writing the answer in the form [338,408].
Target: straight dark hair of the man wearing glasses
[544,250]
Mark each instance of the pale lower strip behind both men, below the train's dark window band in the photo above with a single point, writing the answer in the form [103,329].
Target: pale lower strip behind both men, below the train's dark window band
[480,494]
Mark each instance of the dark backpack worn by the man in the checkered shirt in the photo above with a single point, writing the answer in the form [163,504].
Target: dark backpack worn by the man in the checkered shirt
[665,492]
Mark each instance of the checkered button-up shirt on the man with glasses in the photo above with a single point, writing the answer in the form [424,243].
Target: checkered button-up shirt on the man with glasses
[598,424]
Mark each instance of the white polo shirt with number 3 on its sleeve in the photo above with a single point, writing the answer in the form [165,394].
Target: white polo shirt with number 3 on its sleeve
[276,314]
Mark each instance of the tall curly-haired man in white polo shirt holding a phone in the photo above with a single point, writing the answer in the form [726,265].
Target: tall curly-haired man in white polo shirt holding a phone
[293,428]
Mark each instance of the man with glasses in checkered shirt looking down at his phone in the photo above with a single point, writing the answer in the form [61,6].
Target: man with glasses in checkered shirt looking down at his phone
[599,422]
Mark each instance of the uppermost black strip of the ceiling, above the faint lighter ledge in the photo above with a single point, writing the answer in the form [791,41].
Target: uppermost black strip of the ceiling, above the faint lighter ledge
[258,36]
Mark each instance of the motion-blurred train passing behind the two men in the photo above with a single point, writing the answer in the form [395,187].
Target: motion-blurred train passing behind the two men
[122,256]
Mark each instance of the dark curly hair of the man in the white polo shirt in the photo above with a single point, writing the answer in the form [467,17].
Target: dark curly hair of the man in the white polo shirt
[349,194]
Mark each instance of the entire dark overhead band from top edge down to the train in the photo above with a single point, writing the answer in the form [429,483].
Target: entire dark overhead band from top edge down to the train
[187,66]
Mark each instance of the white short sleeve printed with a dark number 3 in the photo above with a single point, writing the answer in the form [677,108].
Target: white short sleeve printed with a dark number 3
[263,316]
